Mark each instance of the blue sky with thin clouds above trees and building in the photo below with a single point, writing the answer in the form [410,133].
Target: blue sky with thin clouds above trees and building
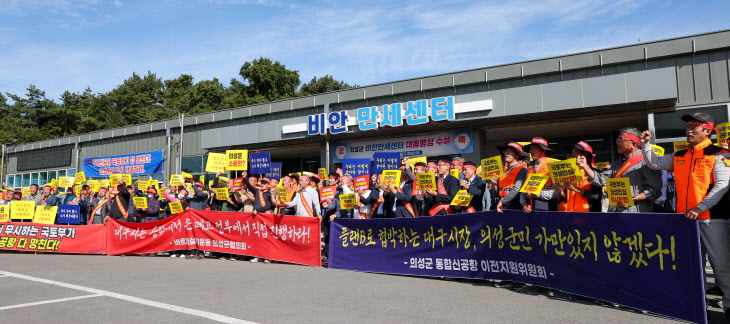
[71,45]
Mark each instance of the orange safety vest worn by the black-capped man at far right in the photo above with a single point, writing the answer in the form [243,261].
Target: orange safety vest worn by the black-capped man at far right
[693,175]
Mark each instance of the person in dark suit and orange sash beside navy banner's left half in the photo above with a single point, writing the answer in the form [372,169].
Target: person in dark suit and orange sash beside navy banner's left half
[438,202]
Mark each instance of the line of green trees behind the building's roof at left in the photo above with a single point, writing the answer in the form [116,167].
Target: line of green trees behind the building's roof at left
[33,117]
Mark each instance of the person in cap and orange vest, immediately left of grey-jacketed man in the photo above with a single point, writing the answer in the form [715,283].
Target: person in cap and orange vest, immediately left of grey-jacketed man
[581,196]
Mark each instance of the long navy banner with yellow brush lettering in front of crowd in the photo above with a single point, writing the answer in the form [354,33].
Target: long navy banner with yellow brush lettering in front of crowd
[645,261]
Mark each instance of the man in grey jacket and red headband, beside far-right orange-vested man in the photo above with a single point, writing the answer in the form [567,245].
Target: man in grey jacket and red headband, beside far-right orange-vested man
[645,183]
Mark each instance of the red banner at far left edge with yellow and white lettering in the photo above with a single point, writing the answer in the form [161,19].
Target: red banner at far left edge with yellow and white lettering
[88,239]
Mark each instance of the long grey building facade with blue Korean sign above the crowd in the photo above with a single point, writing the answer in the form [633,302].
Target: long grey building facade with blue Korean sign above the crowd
[585,96]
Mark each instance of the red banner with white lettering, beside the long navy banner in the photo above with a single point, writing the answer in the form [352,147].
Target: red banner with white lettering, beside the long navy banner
[284,238]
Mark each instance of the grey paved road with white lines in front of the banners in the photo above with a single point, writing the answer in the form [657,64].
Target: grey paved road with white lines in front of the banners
[136,289]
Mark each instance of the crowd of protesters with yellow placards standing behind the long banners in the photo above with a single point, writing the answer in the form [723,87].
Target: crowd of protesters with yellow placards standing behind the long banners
[693,182]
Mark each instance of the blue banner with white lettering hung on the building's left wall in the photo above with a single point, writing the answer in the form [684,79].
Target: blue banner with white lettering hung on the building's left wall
[134,164]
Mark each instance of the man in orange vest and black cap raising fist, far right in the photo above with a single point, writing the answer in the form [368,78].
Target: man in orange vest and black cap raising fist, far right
[701,174]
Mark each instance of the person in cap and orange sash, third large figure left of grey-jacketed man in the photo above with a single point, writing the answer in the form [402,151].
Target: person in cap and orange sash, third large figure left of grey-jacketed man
[546,200]
